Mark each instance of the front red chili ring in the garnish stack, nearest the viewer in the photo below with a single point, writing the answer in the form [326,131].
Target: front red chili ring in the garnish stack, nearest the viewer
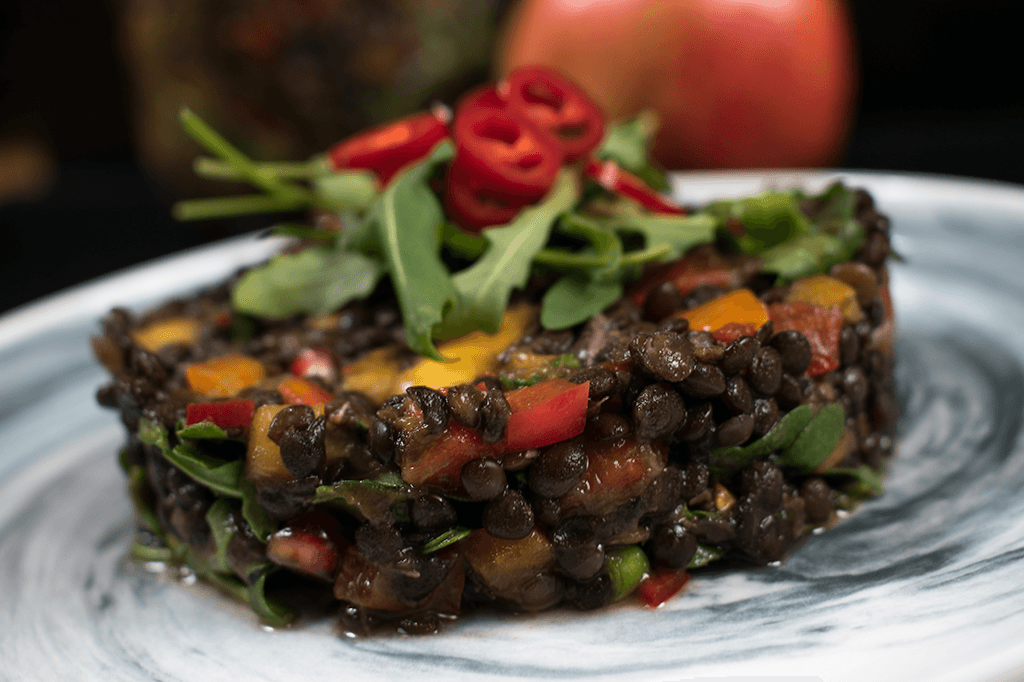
[502,155]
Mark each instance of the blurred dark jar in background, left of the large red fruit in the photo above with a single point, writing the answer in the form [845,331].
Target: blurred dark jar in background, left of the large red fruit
[286,79]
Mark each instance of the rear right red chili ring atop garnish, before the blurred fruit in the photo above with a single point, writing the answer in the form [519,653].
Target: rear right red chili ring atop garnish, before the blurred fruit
[559,107]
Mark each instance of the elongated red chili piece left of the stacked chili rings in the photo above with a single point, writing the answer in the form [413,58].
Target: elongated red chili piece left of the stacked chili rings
[386,150]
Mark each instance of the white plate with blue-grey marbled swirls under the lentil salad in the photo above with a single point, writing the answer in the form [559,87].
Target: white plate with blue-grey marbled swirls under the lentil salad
[922,584]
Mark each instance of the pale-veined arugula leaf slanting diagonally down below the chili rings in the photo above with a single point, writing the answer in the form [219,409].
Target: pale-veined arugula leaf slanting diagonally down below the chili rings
[485,287]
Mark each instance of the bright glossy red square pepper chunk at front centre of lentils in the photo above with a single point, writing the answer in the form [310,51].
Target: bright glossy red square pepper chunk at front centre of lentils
[546,413]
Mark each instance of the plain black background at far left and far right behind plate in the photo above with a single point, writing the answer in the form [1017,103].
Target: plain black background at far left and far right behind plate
[941,94]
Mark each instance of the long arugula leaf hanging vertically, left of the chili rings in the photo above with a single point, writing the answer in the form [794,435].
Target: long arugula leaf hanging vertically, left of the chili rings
[408,221]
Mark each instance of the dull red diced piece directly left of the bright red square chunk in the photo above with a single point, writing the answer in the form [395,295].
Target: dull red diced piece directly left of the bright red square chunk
[442,462]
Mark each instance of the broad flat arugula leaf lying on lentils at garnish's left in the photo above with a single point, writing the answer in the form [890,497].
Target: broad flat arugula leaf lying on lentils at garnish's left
[316,281]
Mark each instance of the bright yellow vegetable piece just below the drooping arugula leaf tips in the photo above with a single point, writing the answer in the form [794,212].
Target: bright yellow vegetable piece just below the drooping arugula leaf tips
[476,354]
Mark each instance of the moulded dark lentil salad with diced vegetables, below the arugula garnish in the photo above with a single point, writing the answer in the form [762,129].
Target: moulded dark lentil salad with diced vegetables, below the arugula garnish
[709,414]
